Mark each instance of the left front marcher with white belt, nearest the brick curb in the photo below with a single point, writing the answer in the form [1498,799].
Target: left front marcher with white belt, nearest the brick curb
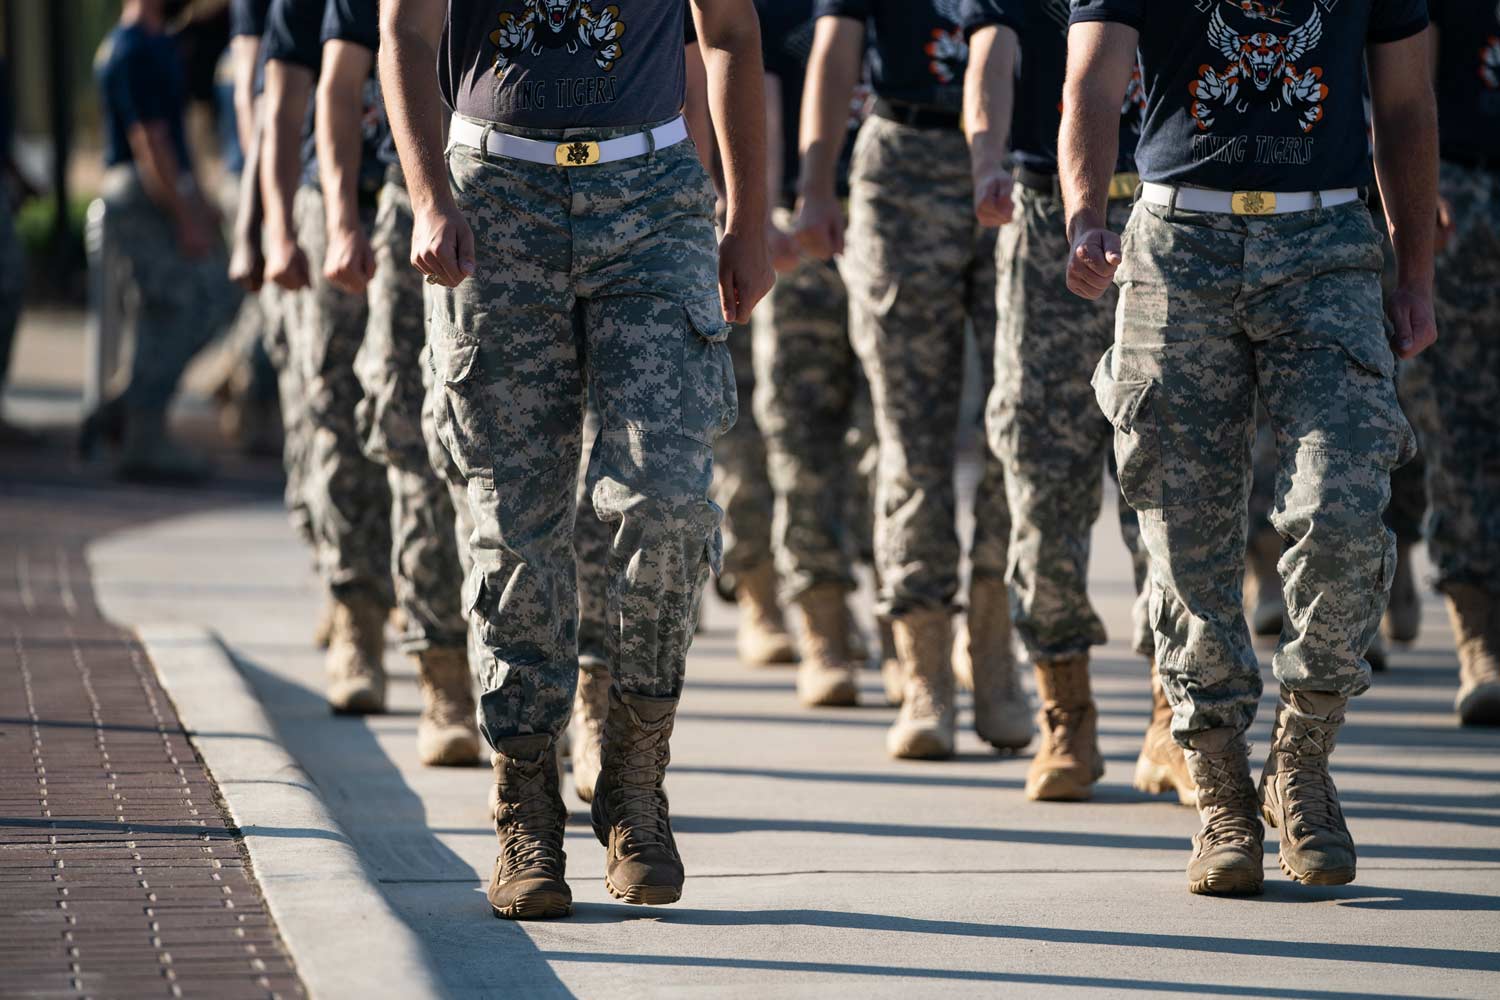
[590,269]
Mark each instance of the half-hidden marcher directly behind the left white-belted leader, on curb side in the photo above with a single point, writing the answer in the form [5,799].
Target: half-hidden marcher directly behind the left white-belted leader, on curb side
[373,263]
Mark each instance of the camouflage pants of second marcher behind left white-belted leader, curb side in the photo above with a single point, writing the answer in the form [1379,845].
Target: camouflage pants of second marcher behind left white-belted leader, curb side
[347,496]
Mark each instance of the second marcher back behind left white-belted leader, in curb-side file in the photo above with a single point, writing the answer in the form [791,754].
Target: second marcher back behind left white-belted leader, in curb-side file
[347,494]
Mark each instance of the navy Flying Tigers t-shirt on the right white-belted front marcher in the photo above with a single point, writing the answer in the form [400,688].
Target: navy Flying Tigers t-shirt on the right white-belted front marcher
[1256,95]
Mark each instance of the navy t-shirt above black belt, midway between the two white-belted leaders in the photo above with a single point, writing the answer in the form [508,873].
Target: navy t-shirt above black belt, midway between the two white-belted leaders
[917,49]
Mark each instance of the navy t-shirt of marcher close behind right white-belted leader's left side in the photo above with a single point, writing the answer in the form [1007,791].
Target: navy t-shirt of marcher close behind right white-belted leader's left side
[1043,28]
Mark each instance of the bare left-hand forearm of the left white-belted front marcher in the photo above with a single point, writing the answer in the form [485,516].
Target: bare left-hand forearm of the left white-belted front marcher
[409,79]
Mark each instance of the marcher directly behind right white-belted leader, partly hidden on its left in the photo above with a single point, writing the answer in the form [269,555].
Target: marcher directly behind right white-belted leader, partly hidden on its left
[1043,424]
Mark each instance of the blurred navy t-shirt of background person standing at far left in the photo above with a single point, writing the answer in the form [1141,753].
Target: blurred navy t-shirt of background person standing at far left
[143,82]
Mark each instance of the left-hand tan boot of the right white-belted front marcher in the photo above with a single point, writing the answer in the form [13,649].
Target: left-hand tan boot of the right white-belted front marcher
[1229,851]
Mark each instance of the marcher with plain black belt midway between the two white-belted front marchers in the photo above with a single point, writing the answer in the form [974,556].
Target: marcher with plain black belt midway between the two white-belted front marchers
[919,269]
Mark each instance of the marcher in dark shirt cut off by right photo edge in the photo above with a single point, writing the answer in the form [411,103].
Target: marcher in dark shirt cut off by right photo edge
[1463,443]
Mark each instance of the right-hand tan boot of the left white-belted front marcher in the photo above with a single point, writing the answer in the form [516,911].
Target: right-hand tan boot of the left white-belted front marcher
[631,809]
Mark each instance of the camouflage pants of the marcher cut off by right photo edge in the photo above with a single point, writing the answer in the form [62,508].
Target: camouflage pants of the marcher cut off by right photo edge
[1465,376]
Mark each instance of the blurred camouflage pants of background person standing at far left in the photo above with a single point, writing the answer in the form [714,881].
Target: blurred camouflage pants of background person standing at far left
[179,305]
